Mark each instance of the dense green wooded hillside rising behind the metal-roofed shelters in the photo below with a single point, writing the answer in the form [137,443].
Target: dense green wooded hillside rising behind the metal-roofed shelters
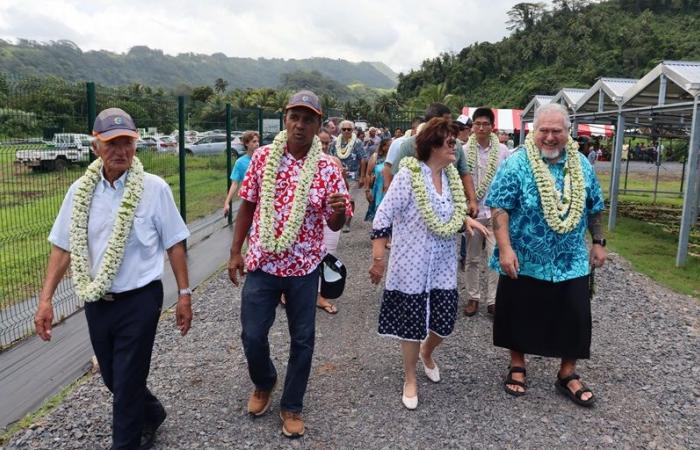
[569,46]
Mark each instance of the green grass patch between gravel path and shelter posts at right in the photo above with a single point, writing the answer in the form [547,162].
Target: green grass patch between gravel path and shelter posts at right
[652,251]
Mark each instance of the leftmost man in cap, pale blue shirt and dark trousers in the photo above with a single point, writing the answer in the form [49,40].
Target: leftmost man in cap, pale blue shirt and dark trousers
[112,229]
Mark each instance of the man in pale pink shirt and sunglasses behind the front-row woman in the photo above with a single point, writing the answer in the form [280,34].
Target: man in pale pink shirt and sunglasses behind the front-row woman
[485,154]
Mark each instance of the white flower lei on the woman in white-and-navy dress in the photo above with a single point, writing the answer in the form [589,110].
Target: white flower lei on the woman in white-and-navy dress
[437,227]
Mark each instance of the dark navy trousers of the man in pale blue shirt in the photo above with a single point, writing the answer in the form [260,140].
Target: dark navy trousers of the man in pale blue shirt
[122,334]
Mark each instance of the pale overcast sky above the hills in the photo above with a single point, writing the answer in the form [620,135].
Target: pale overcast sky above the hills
[398,33]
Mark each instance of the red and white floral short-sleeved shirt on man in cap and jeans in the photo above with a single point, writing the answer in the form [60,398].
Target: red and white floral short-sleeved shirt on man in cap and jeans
[308,250]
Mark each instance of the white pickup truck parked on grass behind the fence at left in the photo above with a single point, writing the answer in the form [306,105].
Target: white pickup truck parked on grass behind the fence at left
[64,149]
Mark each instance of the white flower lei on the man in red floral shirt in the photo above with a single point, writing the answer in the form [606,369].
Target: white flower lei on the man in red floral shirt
[301,195]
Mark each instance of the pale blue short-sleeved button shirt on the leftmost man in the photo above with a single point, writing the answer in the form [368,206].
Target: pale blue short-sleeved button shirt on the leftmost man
[157,226]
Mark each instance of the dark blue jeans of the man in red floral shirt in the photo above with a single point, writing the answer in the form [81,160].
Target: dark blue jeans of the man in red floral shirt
[259,299]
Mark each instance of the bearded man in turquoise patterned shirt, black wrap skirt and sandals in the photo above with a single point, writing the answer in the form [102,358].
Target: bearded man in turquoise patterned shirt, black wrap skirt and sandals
[542,200]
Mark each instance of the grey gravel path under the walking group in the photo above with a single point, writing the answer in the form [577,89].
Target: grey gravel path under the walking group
[644,370]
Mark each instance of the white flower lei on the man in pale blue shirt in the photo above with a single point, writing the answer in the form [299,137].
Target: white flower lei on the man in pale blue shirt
[90,290]
